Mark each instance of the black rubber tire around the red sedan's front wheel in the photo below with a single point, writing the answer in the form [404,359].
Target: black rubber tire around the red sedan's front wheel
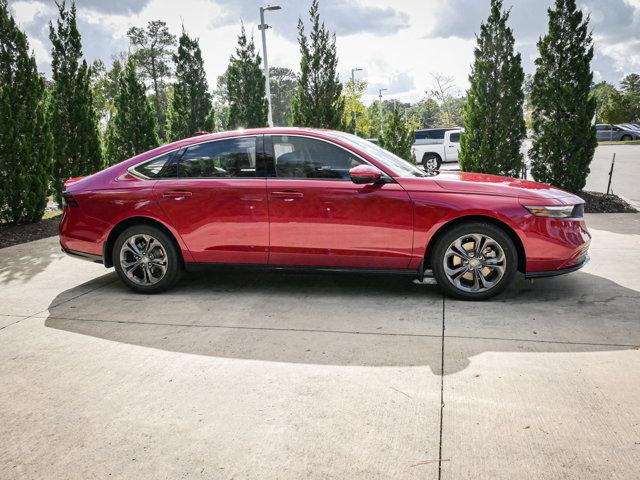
[490,231]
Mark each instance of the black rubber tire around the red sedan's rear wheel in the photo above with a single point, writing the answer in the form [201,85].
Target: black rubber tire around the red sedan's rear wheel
[165,251]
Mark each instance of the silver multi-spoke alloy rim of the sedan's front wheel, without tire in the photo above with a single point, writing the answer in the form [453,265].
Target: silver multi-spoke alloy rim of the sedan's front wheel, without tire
[474,263]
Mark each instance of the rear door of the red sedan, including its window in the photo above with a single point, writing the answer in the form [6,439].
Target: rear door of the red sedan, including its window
[217,200]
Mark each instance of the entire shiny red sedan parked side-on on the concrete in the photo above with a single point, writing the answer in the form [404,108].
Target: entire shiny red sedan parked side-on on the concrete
[291,198]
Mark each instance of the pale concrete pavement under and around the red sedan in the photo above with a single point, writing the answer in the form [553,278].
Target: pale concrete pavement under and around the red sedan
[289,376]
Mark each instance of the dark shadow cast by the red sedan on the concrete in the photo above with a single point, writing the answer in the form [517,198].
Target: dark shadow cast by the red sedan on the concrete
[353,320]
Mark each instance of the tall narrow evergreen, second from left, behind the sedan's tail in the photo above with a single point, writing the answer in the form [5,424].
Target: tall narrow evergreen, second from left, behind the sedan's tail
[72,115]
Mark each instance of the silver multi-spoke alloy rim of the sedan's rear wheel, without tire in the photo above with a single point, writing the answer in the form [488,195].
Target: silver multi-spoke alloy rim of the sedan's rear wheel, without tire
[143,259]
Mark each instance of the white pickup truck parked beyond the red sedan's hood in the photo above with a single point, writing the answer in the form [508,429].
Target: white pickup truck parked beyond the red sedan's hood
[435,146]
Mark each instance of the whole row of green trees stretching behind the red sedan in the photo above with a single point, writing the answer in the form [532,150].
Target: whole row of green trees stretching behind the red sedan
[91,116]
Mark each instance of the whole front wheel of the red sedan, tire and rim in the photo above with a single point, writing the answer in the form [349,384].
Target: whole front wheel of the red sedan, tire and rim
[474,261]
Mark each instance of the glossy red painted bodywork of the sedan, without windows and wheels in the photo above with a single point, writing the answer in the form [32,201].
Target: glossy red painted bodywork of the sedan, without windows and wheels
[307,222]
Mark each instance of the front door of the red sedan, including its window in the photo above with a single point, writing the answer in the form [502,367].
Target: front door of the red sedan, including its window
[319,217]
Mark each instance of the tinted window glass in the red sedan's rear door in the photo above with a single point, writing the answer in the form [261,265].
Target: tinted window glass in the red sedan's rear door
[230,158]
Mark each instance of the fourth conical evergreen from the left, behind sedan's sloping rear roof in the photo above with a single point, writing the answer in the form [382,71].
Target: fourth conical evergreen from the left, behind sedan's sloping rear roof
[190,105]
